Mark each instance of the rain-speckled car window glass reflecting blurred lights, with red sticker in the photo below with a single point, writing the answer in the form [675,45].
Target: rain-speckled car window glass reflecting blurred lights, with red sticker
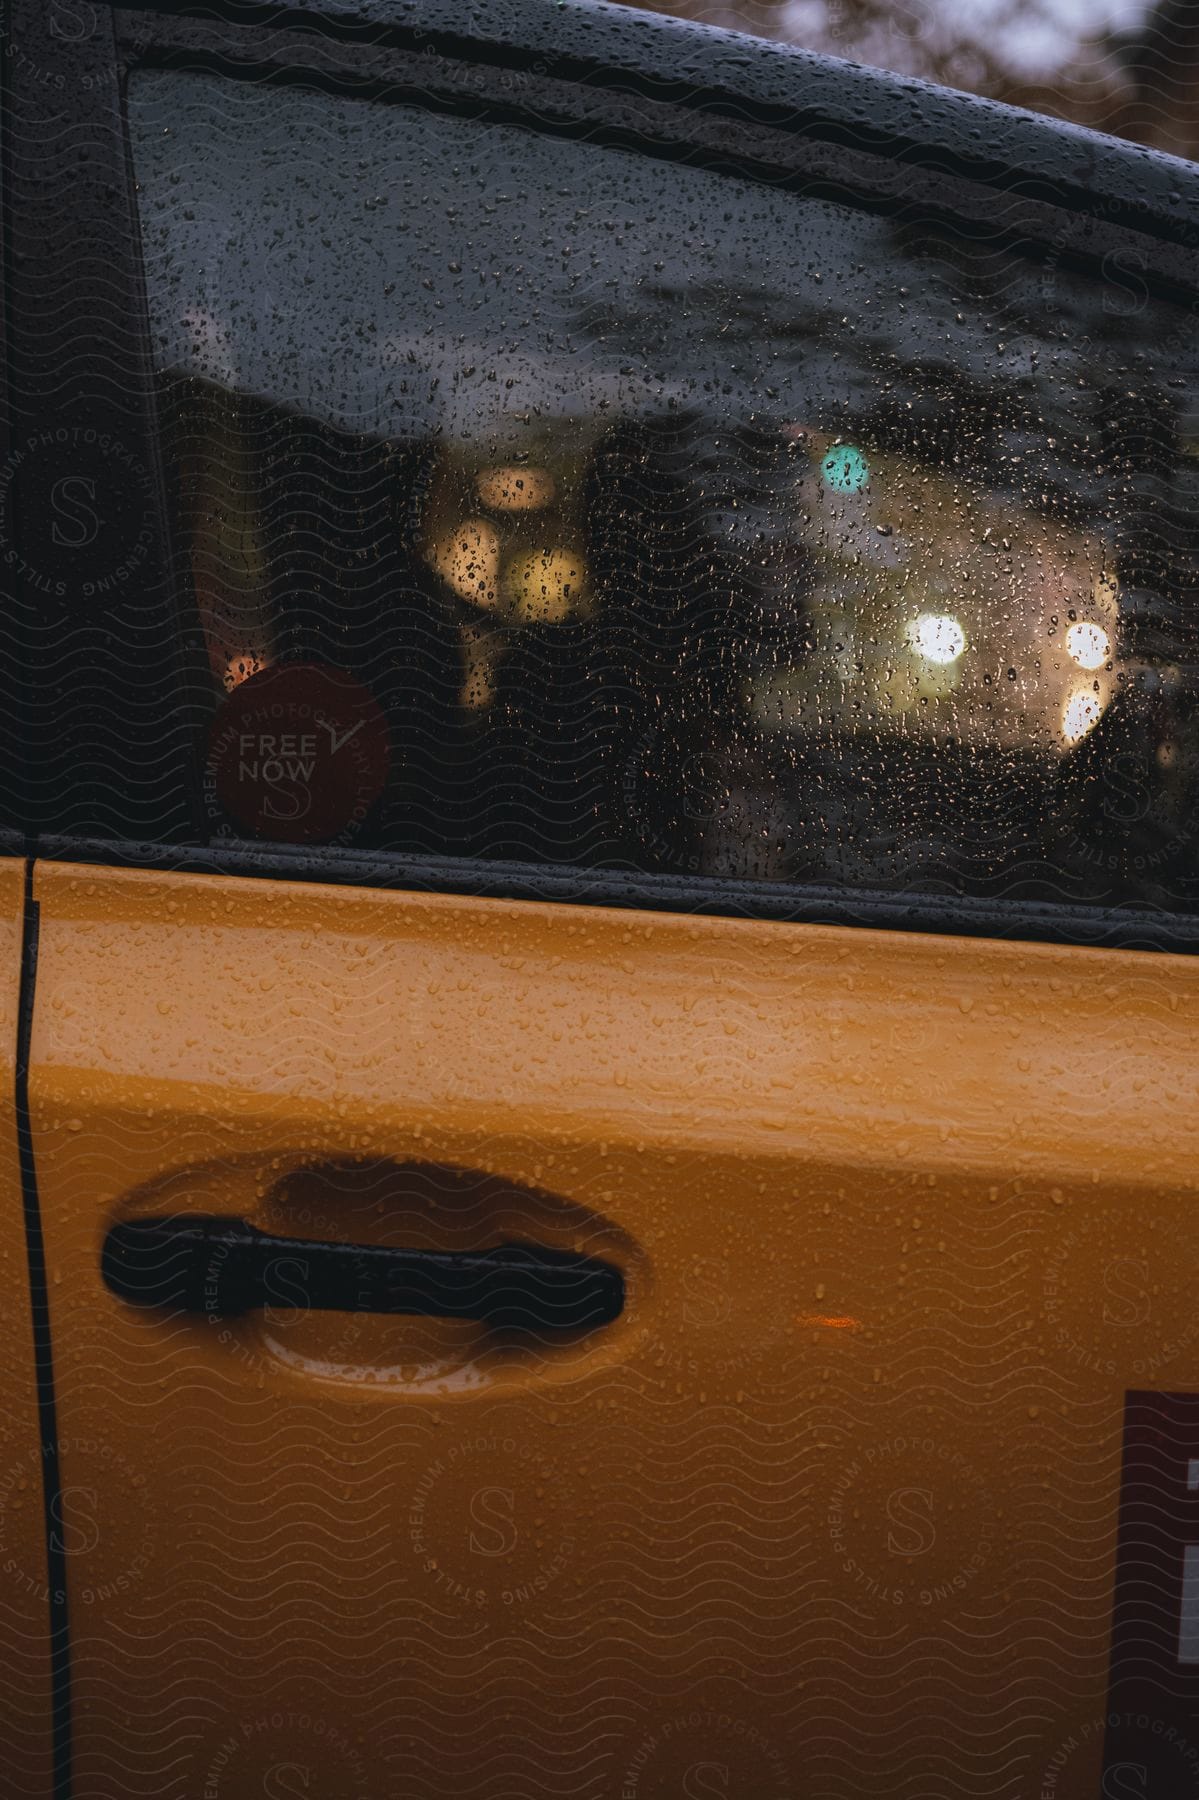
[555,503]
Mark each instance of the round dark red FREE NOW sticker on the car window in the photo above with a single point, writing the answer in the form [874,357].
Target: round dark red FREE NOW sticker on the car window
[298,753]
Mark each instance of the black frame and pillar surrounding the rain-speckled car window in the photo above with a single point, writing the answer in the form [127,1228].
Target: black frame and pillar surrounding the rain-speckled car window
[744,109]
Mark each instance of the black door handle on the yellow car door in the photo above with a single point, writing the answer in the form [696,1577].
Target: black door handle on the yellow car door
[222,1266]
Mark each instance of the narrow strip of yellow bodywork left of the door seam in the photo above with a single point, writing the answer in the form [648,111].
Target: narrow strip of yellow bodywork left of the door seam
[24,1596]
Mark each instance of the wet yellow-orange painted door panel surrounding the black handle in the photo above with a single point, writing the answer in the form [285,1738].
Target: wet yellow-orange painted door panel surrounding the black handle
[831,1511]
